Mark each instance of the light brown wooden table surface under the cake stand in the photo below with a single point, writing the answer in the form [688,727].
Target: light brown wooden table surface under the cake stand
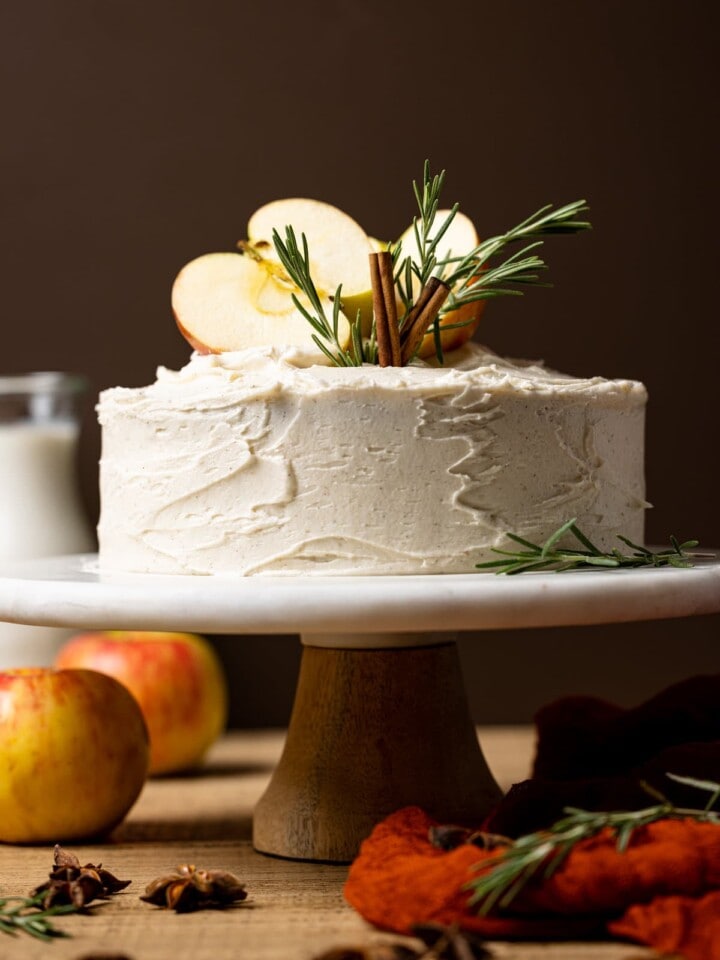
[294,910]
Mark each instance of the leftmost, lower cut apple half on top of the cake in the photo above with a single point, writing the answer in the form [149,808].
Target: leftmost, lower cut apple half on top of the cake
[230,301]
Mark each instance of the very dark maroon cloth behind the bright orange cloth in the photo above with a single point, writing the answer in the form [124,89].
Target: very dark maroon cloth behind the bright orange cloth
[596,755]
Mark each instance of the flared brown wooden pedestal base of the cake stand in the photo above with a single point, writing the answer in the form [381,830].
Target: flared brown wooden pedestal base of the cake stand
[372,730]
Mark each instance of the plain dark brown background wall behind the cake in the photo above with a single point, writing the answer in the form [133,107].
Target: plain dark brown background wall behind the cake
[136,136]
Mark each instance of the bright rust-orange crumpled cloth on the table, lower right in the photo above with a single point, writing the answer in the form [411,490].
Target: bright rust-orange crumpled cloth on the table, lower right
[400,879]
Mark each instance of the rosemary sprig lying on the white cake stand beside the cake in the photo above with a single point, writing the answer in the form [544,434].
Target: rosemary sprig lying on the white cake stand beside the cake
[560,559]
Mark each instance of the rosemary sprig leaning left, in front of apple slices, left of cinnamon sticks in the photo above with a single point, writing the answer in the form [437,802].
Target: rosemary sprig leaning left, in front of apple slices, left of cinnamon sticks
[297,264]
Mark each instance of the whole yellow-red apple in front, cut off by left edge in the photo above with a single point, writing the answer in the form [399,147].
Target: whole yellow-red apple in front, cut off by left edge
[74,754]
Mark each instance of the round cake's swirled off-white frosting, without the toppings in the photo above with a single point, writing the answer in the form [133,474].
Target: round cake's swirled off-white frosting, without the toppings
[261,463]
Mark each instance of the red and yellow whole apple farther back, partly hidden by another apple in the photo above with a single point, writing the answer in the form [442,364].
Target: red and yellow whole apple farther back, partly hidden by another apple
[176,678]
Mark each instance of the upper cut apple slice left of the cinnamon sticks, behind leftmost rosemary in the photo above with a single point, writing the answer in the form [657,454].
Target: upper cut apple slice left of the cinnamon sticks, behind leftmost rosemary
[338,246]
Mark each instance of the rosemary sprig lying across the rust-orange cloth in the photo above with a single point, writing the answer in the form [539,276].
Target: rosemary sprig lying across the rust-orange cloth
[542,853]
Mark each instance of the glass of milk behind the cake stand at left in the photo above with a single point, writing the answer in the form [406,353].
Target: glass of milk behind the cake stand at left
[40,510]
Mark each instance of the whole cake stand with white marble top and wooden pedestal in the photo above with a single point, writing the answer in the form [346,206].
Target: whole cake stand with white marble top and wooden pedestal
[380,718]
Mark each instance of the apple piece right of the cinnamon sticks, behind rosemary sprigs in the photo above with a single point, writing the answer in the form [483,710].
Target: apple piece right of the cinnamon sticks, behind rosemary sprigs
[460,238]
